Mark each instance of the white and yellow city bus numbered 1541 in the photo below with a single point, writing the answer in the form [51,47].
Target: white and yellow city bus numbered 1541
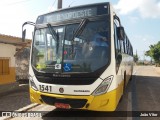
[81,58]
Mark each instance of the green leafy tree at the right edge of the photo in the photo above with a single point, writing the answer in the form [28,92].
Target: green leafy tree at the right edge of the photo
[154,52]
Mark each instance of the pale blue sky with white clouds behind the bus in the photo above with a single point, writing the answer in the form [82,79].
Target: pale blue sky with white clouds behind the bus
[140,18]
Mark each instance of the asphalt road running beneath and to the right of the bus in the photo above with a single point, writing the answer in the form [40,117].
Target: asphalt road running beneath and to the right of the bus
[142,94]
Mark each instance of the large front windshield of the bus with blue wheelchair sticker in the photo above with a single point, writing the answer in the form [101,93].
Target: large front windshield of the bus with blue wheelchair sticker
[84,52]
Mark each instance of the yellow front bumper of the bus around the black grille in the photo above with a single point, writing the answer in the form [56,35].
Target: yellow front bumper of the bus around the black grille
[105,102]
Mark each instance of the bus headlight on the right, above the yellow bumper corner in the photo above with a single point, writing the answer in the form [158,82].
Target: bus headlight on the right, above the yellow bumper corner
[104,86]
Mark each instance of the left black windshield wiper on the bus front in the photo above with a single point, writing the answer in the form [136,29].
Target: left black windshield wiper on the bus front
[54,35]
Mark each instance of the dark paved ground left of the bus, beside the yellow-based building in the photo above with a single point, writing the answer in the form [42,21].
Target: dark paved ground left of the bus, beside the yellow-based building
[14,100]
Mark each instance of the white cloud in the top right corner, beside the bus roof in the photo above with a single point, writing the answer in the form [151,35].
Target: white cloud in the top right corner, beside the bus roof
[146,8]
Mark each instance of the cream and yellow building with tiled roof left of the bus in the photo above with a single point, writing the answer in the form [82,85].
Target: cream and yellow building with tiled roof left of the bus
[10,48]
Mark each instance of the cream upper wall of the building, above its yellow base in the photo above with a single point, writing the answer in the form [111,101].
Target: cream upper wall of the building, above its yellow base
[8,51]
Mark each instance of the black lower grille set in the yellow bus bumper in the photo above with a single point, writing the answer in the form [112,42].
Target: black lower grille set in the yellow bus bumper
[74,103]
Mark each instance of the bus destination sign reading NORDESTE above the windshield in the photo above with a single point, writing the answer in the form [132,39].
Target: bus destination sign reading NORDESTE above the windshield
[73,13]
